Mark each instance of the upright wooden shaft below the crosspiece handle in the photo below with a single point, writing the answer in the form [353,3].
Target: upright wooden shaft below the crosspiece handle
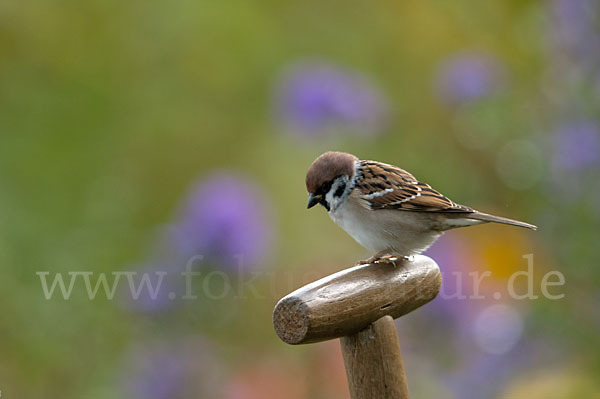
[374,363]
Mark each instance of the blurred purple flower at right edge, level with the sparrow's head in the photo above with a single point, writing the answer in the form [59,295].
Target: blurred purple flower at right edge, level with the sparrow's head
[577,146]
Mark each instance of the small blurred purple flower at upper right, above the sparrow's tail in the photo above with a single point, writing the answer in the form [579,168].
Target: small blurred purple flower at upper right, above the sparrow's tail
[468,77]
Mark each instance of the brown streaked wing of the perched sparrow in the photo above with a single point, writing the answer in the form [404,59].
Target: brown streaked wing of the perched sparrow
[386,186]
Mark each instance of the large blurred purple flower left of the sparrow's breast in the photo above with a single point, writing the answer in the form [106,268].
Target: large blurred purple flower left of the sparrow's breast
[224,219]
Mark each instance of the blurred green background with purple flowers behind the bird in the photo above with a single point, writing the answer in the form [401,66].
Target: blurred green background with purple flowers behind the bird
[138,134]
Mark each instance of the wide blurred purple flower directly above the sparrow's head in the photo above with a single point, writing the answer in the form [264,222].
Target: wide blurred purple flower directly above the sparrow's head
[315,97]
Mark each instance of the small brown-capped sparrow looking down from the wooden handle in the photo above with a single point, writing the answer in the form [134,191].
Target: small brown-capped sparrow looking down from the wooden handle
[385,208]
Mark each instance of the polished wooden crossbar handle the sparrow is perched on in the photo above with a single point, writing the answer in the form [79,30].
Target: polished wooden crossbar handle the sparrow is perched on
[348,301]
